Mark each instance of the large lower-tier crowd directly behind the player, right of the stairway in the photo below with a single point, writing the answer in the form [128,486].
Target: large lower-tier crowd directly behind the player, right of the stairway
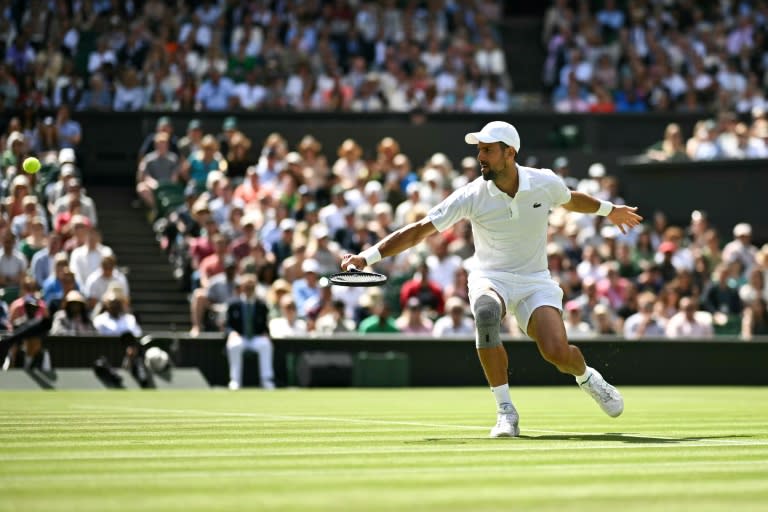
[298,208]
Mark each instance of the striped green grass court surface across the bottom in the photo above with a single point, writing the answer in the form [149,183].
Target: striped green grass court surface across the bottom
[702,449]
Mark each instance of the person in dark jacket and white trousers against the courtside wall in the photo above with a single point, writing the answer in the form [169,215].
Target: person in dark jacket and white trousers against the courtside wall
[247,330]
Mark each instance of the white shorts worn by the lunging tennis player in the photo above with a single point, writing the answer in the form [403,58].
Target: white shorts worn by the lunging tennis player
[522,293]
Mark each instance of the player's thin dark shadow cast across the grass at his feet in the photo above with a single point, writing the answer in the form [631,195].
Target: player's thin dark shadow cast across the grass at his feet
[617,437]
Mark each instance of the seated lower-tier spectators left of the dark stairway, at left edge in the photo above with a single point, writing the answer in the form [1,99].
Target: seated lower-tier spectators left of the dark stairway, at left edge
[54,266]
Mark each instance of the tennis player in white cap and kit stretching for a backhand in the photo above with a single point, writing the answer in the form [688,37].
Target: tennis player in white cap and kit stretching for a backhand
[508,209]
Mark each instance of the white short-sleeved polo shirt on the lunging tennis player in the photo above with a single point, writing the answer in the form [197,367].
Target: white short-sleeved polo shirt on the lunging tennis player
[510,233]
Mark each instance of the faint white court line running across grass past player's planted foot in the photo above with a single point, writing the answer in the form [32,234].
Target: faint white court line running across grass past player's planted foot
[366,421]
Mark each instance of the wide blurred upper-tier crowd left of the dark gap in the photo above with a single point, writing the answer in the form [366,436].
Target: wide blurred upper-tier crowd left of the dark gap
[206,55]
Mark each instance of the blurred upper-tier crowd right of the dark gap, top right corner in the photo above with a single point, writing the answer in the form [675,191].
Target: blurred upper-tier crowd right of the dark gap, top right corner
[651,55]
